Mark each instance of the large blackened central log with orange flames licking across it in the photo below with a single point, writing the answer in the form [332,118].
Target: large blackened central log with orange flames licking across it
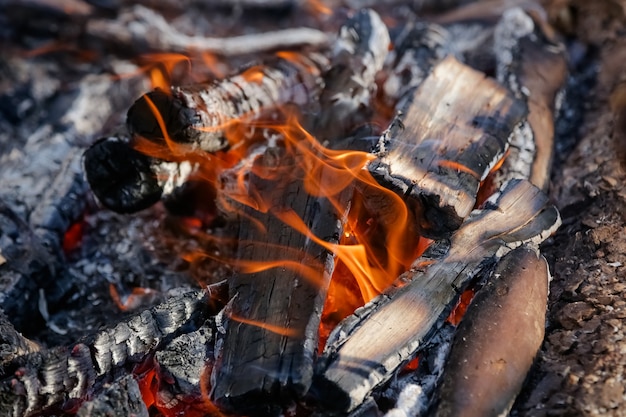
[265,356]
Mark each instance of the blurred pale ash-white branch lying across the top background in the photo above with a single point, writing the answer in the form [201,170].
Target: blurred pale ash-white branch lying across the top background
[139,28]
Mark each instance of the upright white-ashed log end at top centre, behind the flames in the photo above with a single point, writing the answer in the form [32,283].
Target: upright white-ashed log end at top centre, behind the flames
[350,84]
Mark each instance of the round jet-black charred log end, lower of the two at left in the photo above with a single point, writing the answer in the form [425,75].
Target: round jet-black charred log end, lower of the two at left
[122,178]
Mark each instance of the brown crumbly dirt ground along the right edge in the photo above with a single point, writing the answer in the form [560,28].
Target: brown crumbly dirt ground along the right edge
[581,367]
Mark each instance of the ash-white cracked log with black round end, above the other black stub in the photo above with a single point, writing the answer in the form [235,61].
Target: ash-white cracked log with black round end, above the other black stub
[198,116]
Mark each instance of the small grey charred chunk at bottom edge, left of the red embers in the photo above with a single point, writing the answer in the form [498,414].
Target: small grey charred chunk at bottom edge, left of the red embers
[119,398]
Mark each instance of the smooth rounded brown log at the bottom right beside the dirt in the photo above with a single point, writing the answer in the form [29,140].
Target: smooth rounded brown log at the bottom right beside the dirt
[497,340]
